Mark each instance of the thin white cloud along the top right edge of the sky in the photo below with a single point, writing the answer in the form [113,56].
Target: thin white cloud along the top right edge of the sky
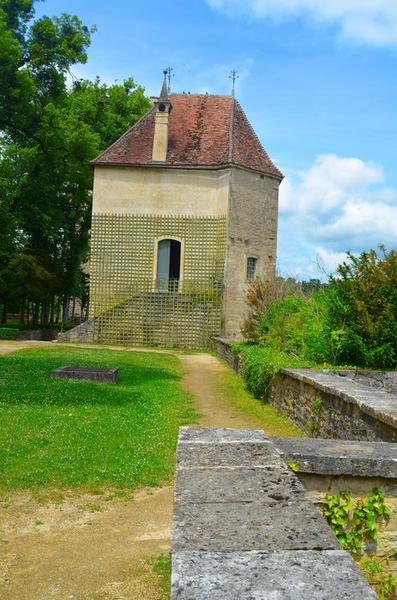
[371,22]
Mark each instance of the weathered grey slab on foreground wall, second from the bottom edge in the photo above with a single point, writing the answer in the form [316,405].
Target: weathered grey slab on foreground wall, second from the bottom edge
[268,526]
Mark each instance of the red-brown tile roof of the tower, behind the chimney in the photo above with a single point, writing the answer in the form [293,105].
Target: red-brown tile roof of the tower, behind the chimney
[204,131]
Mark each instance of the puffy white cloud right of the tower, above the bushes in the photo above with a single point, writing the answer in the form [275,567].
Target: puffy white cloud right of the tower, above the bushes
[336,205]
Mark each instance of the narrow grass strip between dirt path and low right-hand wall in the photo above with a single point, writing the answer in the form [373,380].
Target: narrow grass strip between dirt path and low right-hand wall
[265,415]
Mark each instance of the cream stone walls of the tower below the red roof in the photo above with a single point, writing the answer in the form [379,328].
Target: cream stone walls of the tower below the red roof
[220,217]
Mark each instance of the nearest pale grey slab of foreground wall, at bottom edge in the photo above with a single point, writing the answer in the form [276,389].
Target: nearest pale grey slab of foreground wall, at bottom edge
[299,575]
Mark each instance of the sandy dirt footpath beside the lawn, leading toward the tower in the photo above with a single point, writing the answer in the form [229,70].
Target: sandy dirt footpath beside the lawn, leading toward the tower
[98,547]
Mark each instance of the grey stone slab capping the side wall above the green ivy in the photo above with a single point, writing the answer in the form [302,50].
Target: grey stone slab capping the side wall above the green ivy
[340,457]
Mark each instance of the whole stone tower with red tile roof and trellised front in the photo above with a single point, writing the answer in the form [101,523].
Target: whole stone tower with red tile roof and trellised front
[185,209]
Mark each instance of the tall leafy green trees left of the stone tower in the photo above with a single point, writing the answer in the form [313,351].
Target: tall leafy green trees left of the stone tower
[49,133]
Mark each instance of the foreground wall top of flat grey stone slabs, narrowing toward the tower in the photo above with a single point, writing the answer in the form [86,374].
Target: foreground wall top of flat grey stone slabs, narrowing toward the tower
[245,528]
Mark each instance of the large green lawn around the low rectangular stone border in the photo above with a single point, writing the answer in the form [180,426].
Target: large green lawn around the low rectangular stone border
[58,432]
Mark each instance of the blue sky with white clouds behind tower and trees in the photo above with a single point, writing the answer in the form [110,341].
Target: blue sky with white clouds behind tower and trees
[318,80]
